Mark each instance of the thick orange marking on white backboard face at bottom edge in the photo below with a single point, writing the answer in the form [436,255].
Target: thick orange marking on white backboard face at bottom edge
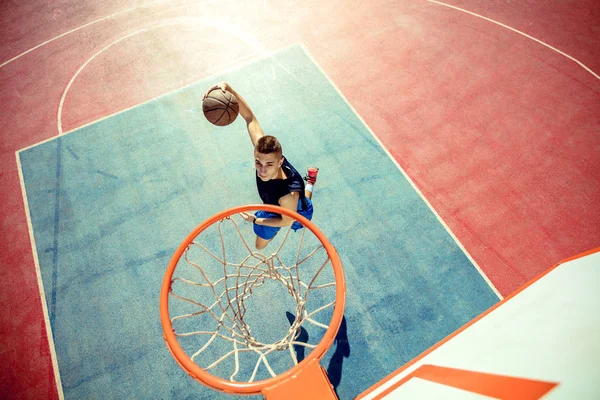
[491,385]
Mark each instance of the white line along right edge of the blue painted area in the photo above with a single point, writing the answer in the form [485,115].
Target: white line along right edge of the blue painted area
[460,245]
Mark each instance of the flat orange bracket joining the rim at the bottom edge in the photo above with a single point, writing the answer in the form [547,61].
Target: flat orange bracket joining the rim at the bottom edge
[310,383]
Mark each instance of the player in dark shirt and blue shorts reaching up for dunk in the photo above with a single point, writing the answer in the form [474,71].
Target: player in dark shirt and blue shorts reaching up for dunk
[277,180]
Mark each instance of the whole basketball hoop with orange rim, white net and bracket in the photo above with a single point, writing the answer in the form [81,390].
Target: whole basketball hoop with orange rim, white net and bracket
[212,334]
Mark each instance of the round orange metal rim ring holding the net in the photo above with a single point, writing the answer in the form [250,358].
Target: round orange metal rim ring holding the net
[318,352]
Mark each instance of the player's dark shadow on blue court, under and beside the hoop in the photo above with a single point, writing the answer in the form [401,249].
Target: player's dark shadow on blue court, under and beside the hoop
[342,350]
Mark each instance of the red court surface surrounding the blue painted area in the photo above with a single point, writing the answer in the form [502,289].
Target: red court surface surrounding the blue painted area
[498,132]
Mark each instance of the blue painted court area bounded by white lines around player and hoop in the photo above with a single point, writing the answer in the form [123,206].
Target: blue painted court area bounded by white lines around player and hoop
[132,186]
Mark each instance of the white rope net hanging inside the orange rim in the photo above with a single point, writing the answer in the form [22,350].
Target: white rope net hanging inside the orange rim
[245,316]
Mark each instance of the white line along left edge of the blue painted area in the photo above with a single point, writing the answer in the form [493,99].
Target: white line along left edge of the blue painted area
[38,273]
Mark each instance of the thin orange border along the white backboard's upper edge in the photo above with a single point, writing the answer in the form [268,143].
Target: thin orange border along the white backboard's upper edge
[463,328]
